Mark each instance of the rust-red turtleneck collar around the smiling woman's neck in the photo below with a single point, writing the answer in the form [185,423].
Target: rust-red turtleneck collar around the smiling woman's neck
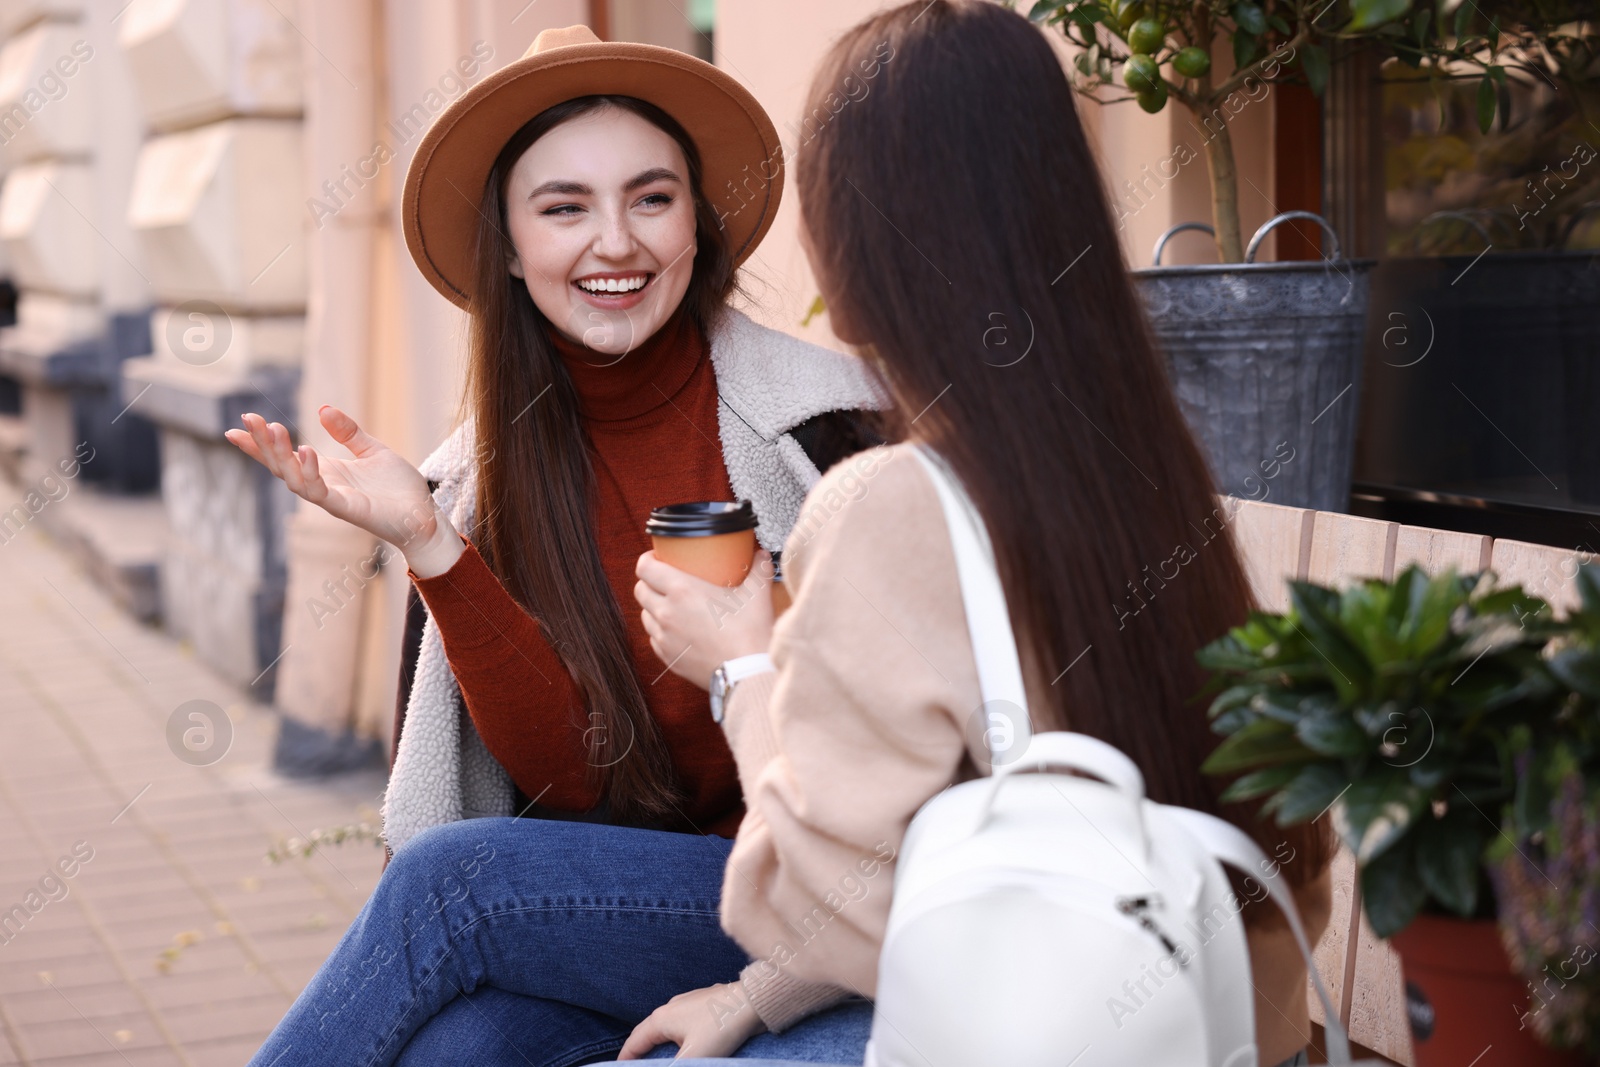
[618,388]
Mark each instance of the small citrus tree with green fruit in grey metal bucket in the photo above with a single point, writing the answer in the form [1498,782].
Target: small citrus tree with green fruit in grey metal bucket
[1262,354]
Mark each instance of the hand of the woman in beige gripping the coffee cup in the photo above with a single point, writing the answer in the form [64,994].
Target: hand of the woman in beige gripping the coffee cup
[697,626]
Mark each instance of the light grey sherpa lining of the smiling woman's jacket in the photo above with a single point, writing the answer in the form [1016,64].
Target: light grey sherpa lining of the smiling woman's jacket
[769,383]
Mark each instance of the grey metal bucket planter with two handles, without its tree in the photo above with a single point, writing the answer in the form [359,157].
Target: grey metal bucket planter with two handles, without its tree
[1266,362]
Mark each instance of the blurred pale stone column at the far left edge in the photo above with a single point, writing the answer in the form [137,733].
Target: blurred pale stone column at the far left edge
[66,142]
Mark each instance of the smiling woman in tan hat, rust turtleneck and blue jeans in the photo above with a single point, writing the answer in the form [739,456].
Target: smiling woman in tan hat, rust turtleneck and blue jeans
[588,206]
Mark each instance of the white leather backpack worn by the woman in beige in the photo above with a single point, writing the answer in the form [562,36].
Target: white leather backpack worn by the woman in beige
[1050,916]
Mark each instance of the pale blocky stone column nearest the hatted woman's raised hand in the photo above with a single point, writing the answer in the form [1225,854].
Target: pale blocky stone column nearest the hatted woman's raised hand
[215,202]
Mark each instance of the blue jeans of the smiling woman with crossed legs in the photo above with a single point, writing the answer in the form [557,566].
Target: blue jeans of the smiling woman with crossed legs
[532,943]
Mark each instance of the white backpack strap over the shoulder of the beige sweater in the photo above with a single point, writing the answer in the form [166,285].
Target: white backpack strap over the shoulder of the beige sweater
[988,621]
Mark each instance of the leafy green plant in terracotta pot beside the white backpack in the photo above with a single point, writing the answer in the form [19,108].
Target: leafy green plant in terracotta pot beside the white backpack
[1404,713]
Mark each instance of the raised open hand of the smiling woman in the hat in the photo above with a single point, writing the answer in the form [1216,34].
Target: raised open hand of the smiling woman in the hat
[375,490]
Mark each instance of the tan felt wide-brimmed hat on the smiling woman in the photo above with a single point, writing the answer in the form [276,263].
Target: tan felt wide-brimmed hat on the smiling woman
[740,151]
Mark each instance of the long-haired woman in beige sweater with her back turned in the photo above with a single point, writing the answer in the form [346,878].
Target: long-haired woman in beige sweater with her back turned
[964,244]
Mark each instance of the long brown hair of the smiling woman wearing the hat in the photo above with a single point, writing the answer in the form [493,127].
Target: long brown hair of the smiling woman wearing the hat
[535,506]
